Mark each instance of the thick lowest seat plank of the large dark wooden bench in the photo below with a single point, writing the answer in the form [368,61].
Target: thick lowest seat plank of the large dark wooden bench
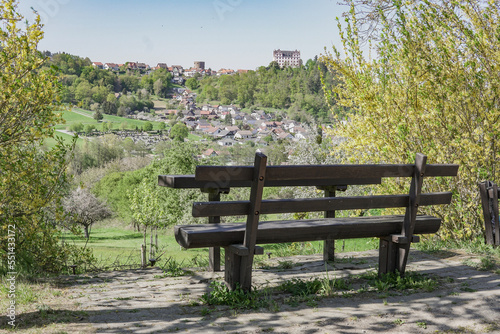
[223,235]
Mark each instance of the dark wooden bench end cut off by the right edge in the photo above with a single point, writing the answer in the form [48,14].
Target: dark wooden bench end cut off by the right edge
[489,199]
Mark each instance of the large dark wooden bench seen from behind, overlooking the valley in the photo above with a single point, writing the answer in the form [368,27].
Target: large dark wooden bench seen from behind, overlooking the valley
[240,240]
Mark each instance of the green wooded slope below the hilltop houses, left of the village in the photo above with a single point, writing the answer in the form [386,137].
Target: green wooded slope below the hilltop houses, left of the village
[114,93]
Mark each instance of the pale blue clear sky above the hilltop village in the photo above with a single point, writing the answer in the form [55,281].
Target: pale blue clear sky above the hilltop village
[235,34]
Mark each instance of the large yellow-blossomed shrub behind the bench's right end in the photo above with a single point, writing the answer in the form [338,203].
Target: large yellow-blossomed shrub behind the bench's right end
[433,88]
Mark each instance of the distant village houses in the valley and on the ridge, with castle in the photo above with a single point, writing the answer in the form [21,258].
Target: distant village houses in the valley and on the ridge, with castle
[226,125]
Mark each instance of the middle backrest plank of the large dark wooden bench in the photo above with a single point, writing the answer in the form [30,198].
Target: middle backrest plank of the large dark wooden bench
[239,208]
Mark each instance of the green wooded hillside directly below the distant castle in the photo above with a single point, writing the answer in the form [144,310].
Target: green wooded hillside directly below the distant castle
[296,90]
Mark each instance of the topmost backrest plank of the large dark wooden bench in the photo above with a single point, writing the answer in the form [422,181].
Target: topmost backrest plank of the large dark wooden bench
[219,176]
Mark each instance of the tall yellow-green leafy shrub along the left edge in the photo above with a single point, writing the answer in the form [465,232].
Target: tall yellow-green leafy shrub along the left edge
[31,178]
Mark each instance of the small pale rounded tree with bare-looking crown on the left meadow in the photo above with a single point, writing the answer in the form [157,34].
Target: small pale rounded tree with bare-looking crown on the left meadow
[85,209]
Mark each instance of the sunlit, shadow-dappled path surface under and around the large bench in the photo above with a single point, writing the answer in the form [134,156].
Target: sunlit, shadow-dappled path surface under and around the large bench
[143,301]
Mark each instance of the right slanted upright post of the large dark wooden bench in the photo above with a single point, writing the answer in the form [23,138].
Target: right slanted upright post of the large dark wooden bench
[411,210]
